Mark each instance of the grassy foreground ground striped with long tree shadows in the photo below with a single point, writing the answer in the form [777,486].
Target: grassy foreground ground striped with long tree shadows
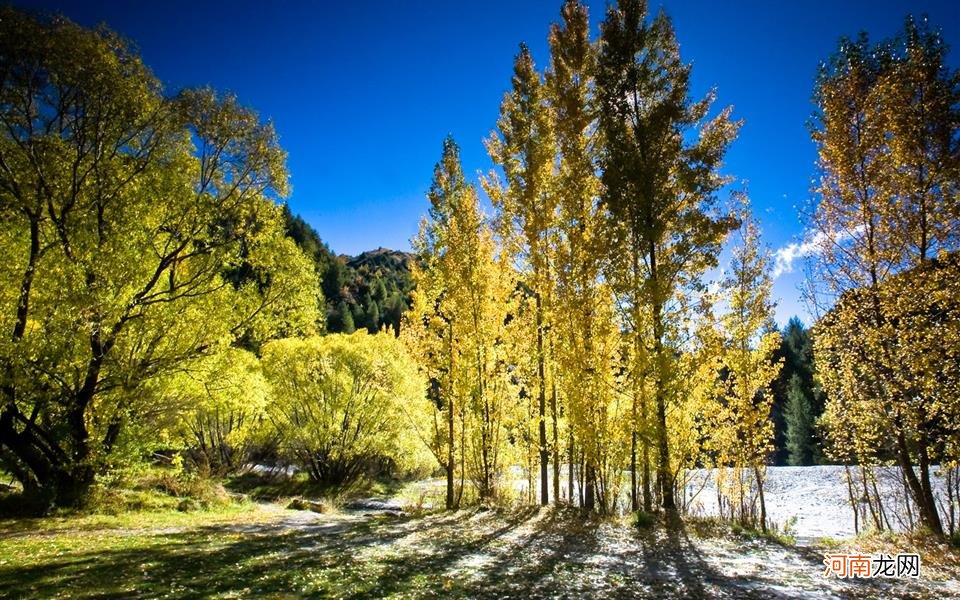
[251,550]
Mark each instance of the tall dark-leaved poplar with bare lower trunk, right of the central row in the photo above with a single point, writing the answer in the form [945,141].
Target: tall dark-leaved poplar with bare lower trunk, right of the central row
[659,188]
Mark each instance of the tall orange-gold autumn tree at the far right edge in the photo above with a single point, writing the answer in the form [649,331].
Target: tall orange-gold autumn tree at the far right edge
[886,133]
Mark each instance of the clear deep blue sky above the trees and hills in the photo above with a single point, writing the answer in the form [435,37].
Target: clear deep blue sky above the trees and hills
[362,94]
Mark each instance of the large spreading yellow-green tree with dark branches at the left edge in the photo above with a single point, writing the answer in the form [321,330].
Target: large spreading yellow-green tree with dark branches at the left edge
[138,232]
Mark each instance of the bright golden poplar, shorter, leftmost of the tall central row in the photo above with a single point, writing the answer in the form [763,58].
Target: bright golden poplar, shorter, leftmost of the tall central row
[458,329]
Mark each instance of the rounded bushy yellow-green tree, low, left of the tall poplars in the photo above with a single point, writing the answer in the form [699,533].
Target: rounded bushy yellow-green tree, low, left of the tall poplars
[343,404]
